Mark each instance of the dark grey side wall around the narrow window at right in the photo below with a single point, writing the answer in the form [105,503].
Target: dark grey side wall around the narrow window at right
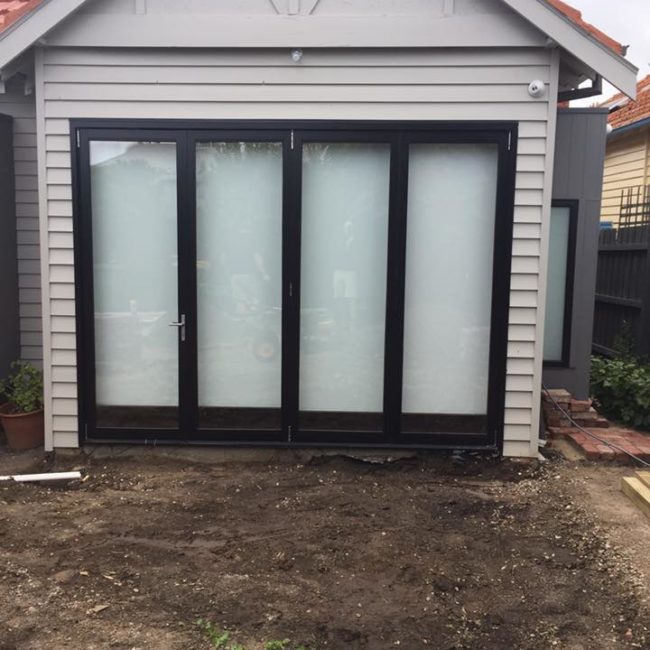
[578,175]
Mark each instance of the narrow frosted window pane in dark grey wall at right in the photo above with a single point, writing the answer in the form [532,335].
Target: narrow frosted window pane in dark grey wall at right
[557,280]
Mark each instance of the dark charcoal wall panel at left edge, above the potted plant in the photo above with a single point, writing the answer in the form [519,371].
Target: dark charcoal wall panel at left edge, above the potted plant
[9,340]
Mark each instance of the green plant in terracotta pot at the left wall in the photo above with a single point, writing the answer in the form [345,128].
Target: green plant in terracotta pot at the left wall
[23,420]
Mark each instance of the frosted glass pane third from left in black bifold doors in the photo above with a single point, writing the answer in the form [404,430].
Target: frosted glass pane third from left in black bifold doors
[343,278]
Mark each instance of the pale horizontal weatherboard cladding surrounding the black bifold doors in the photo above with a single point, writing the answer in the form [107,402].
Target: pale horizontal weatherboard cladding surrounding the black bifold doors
[468,84]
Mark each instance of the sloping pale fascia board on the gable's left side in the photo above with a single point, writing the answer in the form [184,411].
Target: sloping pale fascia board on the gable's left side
[33,26]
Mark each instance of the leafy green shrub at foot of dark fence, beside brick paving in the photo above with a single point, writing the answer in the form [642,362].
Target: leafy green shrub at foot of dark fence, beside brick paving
[622,388]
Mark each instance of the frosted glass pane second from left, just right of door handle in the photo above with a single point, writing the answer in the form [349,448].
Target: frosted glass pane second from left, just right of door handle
[239,246]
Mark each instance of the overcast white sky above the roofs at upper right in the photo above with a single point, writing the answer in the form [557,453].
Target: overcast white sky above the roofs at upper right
[627,21]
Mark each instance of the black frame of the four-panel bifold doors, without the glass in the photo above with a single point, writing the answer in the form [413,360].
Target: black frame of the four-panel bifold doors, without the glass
[292,133]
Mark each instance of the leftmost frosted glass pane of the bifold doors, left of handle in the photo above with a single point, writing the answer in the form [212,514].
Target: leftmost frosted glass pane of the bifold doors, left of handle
[134,215]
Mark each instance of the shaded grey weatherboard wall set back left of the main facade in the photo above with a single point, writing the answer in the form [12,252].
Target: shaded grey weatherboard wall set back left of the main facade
[22,108]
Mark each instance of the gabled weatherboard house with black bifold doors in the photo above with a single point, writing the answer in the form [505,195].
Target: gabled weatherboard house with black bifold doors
[285,222]
